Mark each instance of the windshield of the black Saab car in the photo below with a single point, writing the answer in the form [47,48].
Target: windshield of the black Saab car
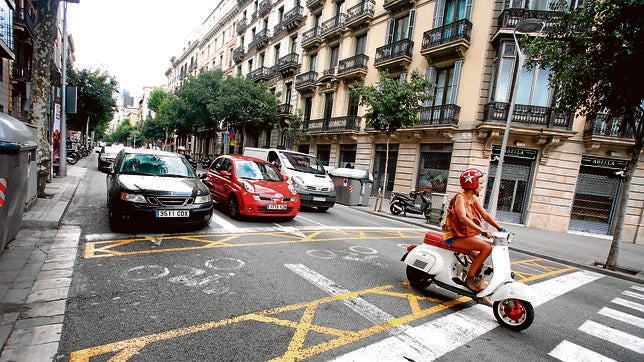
[156,165]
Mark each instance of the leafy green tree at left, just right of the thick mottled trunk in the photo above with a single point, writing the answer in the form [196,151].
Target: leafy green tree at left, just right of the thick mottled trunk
[96,103]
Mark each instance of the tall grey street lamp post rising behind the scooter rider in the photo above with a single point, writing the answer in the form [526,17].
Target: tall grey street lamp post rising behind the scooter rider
[524,26]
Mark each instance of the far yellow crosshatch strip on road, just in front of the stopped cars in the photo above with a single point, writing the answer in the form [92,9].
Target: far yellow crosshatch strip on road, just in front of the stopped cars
[164,244]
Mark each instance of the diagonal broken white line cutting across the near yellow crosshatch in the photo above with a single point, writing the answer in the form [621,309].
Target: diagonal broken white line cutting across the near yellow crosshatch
[369,311]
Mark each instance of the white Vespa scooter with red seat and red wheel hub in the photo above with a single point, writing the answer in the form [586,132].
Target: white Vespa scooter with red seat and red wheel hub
[446,266]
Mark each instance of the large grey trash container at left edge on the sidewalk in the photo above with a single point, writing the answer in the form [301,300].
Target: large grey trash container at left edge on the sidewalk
[17,152]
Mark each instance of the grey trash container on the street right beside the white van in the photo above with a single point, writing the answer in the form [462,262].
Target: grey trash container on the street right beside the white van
[352,186]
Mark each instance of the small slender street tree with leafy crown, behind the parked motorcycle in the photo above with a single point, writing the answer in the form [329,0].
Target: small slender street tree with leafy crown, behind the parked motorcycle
[393,104]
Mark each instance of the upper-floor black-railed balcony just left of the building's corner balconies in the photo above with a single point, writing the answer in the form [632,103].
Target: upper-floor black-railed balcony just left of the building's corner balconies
[448,42]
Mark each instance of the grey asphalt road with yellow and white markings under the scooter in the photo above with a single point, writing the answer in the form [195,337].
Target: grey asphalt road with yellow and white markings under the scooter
[324,286]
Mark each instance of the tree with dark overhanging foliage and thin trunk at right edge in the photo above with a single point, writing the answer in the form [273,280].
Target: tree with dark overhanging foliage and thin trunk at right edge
[595,53]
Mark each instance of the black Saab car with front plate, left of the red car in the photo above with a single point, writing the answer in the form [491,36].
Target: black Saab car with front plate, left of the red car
[148,186]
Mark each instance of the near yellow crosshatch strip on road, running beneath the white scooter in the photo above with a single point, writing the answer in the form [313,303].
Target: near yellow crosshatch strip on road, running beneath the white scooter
[419,306]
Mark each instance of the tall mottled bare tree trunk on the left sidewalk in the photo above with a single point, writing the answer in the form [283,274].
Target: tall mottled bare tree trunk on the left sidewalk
[41,89]
